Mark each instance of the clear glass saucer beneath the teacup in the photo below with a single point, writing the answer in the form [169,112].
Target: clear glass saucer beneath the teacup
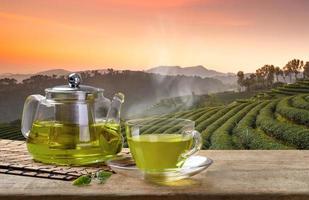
[125,165]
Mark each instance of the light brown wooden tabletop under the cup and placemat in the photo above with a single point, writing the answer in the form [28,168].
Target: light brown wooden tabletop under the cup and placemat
[234,175]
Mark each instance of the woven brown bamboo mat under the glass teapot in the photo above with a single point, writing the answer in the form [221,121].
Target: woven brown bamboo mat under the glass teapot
[15,159]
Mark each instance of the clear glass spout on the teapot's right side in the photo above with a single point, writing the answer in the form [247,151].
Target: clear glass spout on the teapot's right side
[113,114]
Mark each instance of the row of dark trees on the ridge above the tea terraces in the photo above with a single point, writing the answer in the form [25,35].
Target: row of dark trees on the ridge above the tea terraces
[265,77]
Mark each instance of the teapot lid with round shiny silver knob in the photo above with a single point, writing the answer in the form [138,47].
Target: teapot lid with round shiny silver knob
[73,91]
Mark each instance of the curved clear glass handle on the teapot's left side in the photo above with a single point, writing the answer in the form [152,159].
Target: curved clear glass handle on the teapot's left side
[29,111]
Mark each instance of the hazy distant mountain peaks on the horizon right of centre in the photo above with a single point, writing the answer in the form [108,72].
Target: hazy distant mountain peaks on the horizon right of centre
[198,70]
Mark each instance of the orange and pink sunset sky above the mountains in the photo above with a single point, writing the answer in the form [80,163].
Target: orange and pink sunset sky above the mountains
[225,35]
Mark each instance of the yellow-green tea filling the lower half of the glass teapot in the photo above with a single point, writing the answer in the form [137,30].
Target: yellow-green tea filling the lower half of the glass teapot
[58,143]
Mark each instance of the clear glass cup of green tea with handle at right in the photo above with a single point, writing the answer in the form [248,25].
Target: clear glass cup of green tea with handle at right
[159,145]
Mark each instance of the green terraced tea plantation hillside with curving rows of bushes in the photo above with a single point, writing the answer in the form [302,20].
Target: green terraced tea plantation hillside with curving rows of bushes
[278,119]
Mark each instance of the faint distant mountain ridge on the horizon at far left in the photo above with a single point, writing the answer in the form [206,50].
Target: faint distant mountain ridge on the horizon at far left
[21,77]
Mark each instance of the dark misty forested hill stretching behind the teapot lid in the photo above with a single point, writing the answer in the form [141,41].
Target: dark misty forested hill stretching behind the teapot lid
[141,89]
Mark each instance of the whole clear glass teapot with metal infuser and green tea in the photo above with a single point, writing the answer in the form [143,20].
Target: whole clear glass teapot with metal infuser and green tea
[73,124]
